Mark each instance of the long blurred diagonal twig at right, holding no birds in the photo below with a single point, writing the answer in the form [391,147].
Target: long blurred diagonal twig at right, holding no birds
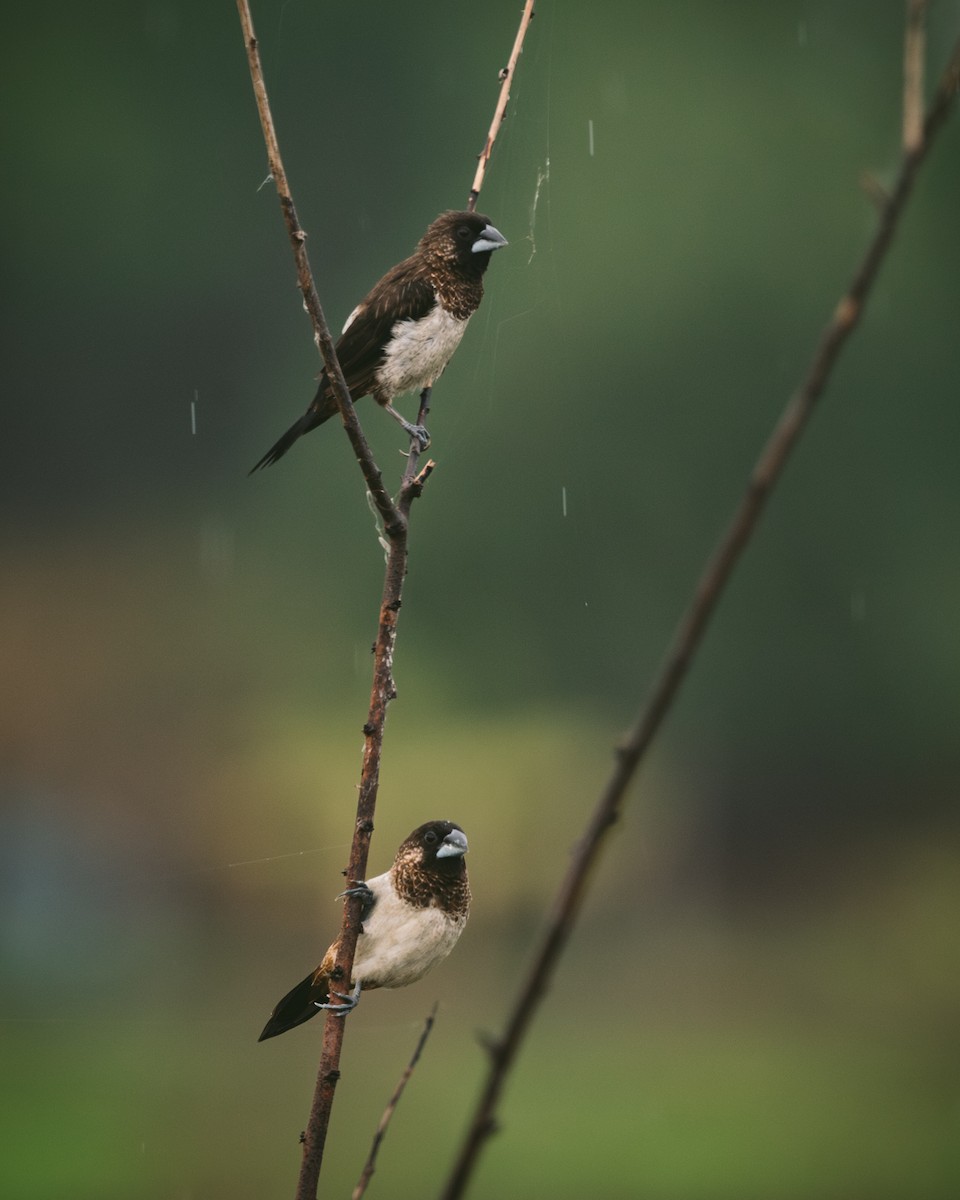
[718,571]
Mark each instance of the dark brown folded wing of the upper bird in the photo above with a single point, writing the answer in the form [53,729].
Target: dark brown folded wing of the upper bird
[405,293]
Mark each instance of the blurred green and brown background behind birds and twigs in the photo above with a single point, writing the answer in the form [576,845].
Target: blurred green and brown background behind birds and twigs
[761,1000]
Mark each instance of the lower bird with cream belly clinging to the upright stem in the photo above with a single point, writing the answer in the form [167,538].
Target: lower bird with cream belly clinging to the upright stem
[412,917]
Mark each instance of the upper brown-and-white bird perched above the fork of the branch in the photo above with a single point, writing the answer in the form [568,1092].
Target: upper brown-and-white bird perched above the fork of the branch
[404,333]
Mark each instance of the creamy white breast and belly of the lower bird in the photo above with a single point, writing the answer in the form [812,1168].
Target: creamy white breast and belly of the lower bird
[401,944]
